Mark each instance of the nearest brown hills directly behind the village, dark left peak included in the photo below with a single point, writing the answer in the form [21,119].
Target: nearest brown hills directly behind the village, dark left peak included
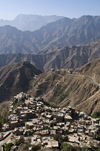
[59,87]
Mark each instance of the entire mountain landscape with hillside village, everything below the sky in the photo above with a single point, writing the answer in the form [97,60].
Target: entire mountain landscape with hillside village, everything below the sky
[50,83]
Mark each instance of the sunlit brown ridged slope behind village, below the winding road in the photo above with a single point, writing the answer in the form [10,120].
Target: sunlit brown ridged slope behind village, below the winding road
[63,89]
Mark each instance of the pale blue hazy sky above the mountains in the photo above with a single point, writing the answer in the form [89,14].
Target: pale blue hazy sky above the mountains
[9,9]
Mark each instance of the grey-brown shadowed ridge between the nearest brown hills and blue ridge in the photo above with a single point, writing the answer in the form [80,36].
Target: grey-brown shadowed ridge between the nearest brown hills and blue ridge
[67,57]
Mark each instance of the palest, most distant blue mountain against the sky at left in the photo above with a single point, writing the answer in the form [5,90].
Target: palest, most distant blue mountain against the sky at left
[30,22]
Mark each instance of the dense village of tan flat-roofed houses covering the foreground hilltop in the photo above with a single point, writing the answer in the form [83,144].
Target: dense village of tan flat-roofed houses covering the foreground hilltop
[32,118]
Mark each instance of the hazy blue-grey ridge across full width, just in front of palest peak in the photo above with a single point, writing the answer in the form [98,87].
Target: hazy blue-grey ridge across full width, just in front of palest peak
[64,32]
